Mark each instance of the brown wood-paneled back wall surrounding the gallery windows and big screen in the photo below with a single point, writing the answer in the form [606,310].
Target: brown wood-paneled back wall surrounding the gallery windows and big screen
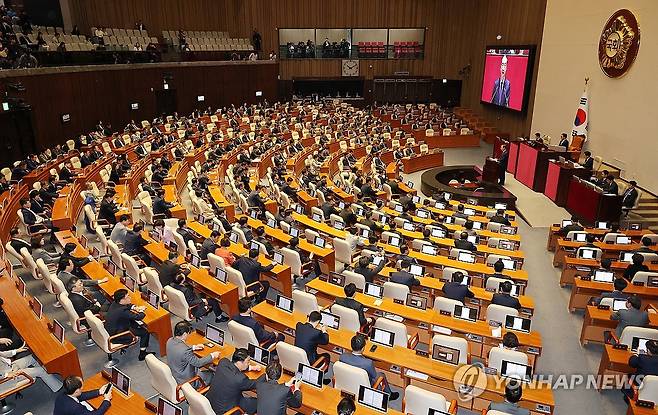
[456,36]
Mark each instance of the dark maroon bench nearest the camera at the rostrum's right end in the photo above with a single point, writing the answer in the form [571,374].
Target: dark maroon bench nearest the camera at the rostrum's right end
[588,202]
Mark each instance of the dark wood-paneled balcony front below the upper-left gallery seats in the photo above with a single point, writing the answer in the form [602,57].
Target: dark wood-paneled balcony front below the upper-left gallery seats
[105,93]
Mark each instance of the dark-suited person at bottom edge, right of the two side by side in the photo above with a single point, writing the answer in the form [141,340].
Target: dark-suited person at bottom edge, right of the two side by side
[275,398]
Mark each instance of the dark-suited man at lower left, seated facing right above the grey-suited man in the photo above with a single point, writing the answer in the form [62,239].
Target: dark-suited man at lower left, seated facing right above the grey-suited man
[122,316]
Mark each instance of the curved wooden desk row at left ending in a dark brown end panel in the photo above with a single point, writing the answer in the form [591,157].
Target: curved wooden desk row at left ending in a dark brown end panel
[158,322]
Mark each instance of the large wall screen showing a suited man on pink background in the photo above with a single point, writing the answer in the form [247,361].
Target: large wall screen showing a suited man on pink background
[507,76]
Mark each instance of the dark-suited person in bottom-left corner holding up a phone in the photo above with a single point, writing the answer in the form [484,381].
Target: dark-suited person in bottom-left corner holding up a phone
[73,401]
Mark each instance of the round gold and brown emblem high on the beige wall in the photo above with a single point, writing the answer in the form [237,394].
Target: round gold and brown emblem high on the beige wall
[619,43]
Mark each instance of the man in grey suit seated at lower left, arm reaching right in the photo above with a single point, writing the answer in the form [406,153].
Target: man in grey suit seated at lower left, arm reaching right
[182,361]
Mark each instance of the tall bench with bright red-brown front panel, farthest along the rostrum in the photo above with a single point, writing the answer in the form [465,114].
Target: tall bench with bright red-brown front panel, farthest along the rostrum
[532,164]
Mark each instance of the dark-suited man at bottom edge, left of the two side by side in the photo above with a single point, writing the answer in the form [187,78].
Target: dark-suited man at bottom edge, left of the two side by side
[230,382]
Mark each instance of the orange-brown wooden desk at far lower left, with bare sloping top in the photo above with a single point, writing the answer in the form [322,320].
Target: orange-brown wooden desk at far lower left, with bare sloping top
[54,356]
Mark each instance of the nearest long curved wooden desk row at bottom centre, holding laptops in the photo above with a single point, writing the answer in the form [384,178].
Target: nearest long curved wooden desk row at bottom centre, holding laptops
[397,361]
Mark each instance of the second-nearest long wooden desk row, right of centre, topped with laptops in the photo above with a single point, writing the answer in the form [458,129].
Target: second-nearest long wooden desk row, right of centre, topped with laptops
[422,322]
